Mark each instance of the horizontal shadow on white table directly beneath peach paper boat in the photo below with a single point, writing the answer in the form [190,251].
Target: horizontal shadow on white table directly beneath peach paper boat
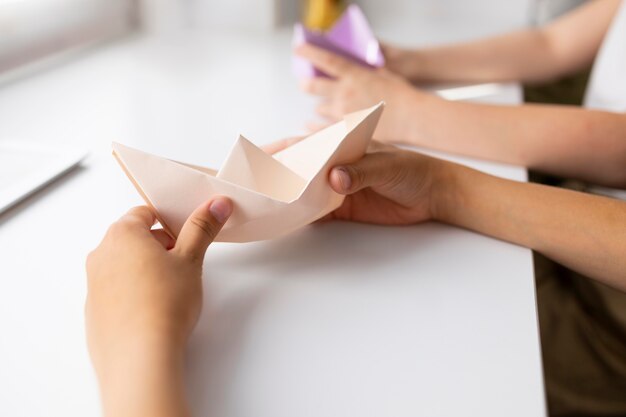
[330,246]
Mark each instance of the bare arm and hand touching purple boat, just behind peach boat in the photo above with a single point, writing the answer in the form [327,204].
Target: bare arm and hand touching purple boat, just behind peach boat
[566,141]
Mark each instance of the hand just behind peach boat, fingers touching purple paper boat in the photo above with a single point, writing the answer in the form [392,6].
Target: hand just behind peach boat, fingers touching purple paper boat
[354,87]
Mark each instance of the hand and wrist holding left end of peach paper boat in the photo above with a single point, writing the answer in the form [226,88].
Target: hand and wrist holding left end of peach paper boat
[144,298]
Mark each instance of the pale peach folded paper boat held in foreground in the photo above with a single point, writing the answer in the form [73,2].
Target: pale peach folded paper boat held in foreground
[272,195]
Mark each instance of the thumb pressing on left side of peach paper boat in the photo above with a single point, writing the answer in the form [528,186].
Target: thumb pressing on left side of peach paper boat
[202,227]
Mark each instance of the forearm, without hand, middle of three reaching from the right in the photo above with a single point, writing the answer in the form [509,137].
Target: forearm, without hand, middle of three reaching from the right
[565,141]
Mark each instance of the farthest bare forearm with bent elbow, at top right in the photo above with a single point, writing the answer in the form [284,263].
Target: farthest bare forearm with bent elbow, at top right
[533,55]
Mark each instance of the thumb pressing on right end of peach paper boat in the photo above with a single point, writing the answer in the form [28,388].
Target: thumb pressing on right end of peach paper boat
[373,170]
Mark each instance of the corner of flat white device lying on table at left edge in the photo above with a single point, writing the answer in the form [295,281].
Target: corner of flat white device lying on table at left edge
[26,167]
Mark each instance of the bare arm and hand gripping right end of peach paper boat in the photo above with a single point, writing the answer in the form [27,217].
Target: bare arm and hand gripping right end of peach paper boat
[583,232]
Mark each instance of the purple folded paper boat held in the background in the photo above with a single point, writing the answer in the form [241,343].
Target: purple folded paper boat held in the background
[350,37]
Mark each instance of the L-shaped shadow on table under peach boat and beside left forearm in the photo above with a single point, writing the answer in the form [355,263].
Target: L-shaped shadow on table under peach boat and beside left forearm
[319,254]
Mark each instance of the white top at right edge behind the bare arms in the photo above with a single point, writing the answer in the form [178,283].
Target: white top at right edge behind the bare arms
[607,86]
